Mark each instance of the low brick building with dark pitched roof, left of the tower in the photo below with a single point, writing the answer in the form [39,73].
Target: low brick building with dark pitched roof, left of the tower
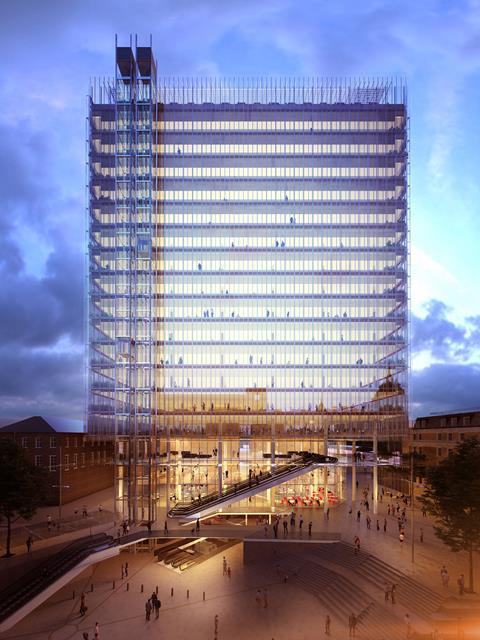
[78,464]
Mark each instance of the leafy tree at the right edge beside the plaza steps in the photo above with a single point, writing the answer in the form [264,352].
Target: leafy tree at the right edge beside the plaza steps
[452,496]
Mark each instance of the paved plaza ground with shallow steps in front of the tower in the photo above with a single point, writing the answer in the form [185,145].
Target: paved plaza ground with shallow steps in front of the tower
[294,607]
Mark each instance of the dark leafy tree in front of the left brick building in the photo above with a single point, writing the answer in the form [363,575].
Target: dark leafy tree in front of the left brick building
[23,486]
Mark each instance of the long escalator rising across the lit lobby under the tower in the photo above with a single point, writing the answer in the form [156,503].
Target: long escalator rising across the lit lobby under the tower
[301,462]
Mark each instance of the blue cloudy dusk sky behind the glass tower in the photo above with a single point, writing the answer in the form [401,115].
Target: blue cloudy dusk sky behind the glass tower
[51,49]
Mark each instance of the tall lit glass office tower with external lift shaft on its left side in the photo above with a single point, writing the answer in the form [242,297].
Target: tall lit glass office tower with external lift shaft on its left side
[248,278]
